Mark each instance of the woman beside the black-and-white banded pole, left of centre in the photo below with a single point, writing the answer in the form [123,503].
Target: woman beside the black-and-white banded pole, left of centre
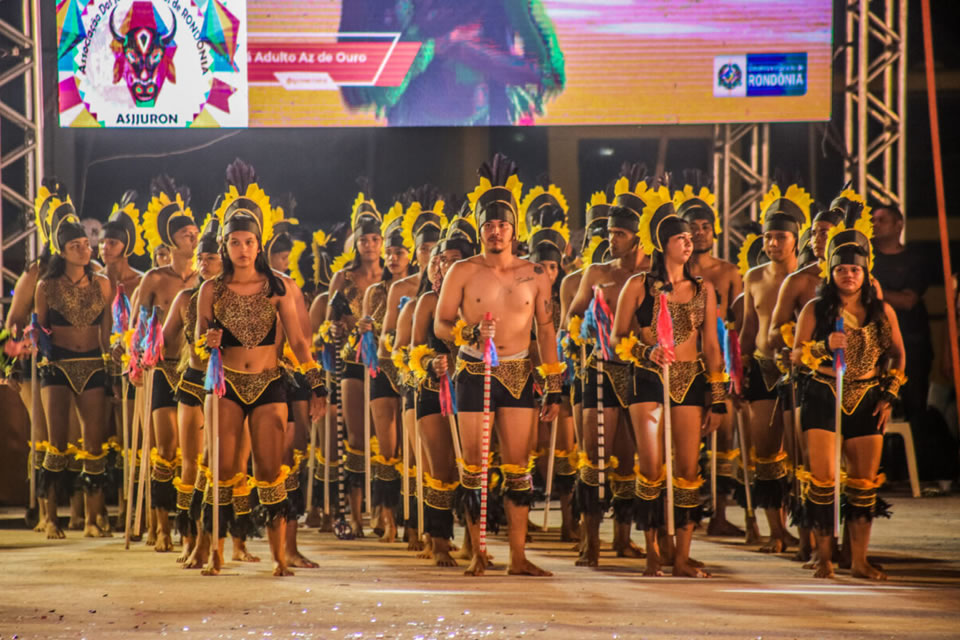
[355,271]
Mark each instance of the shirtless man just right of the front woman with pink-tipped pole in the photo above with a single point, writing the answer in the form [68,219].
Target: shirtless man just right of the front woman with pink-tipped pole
[697,209]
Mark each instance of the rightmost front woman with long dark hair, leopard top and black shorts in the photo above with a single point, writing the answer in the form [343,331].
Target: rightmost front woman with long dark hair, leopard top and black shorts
[875,360]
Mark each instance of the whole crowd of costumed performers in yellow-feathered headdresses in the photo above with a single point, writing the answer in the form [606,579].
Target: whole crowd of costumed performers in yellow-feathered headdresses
[453,361]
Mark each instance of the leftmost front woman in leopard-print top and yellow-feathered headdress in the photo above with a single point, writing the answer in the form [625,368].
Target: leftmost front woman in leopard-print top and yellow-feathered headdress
[73,304]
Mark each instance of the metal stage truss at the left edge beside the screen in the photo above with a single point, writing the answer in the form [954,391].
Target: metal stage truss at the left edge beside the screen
[22,156]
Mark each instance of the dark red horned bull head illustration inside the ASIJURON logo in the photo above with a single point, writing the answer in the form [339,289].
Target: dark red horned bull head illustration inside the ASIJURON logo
[144,53]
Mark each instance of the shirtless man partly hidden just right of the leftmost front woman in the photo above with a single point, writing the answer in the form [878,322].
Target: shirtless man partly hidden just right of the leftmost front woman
[121,237]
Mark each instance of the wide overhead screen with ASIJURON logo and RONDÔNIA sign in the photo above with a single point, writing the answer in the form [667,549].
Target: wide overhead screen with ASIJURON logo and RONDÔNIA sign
[337,63]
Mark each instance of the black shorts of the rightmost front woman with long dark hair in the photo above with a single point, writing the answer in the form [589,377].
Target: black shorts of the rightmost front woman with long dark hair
[819,405]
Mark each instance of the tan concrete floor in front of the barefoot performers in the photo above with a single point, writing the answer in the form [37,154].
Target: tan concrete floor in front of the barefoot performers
[81,588]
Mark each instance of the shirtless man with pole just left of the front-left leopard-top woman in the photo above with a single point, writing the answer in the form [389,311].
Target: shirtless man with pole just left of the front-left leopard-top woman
[168,221]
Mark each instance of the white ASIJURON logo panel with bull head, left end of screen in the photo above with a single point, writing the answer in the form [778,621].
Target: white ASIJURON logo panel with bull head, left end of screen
[152,63]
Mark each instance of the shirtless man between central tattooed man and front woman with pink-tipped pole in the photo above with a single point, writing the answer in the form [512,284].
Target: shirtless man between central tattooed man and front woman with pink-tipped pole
[628,259]
